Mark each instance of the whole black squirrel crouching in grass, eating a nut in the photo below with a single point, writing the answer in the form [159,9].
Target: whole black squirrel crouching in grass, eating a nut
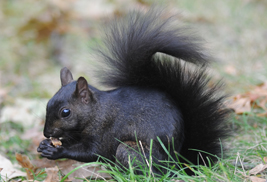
[155,96]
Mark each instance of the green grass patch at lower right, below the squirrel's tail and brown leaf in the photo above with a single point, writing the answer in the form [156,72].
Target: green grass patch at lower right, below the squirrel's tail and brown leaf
[244,153]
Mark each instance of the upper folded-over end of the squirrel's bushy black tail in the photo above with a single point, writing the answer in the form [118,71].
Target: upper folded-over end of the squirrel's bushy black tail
[131,44]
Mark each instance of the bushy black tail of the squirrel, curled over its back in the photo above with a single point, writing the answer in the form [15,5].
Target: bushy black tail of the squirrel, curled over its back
[132,45]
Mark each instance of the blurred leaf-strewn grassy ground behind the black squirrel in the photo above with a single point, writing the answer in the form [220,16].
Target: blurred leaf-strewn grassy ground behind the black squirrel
[39,38]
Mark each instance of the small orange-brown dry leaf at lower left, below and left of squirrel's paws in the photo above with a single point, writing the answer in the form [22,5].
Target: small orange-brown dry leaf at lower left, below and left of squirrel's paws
[25,162]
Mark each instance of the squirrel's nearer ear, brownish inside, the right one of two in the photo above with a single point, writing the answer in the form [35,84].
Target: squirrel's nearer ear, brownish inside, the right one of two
[82,90]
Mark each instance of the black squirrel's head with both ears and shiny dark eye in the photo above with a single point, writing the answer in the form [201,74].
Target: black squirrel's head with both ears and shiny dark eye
[65,112]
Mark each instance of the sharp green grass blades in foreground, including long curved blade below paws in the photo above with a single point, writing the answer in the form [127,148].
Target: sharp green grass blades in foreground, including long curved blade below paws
[243,156]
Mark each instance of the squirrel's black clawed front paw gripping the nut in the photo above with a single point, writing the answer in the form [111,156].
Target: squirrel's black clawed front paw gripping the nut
[49,151]
